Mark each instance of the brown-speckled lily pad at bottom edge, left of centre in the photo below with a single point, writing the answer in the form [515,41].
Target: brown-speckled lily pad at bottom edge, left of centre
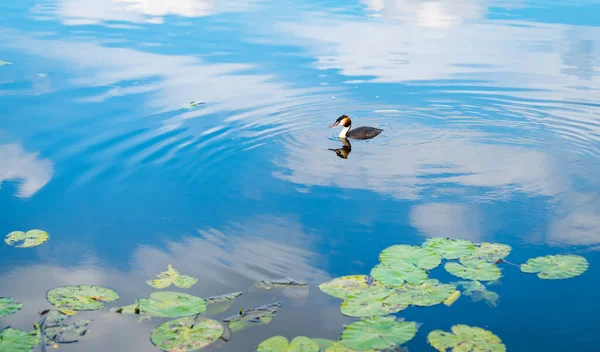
[186,334]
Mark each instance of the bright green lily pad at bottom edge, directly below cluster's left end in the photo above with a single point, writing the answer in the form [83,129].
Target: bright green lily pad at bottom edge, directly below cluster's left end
[378,334]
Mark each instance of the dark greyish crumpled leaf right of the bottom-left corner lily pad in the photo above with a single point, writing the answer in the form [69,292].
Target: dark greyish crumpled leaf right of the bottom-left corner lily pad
[61,328]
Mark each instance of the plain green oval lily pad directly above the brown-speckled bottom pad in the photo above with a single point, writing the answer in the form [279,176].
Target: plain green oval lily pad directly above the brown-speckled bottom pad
[171,304]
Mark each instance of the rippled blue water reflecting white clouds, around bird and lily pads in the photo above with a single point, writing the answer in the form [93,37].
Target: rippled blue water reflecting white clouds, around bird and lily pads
[491,118]
